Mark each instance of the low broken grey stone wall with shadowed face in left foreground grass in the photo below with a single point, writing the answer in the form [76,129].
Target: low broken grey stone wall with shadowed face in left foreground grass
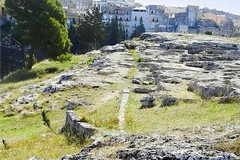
[78,128]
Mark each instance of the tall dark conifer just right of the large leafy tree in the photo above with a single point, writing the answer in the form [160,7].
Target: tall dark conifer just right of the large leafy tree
[91,30]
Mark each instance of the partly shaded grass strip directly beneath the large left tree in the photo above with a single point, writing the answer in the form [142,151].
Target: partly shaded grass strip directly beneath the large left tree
[39,72]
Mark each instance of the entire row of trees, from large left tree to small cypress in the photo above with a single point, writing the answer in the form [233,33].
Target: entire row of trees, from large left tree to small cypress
[41,24]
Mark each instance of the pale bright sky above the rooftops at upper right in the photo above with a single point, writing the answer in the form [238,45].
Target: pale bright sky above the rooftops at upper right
[231,6]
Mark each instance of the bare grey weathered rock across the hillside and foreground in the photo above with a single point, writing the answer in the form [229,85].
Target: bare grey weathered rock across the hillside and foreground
[172,66]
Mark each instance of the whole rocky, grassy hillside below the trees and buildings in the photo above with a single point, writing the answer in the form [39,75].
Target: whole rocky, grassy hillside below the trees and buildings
[200,108]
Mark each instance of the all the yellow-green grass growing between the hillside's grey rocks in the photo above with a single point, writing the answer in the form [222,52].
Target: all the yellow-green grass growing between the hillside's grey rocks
[25,136]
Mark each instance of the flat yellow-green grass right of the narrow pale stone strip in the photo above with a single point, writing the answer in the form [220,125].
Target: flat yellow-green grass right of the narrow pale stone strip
[184,115]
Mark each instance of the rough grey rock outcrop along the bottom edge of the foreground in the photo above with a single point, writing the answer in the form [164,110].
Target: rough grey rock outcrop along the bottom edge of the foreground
[154,146]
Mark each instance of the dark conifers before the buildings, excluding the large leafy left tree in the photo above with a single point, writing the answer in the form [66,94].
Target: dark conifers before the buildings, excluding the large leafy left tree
[92,33]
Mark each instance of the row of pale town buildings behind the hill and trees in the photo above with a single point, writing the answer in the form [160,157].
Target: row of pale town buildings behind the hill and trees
[156,18]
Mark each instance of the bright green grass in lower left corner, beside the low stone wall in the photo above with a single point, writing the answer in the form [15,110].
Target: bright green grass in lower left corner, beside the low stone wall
[27,137]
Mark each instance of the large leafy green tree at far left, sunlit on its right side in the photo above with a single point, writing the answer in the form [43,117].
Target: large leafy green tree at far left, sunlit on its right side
[41,24]
